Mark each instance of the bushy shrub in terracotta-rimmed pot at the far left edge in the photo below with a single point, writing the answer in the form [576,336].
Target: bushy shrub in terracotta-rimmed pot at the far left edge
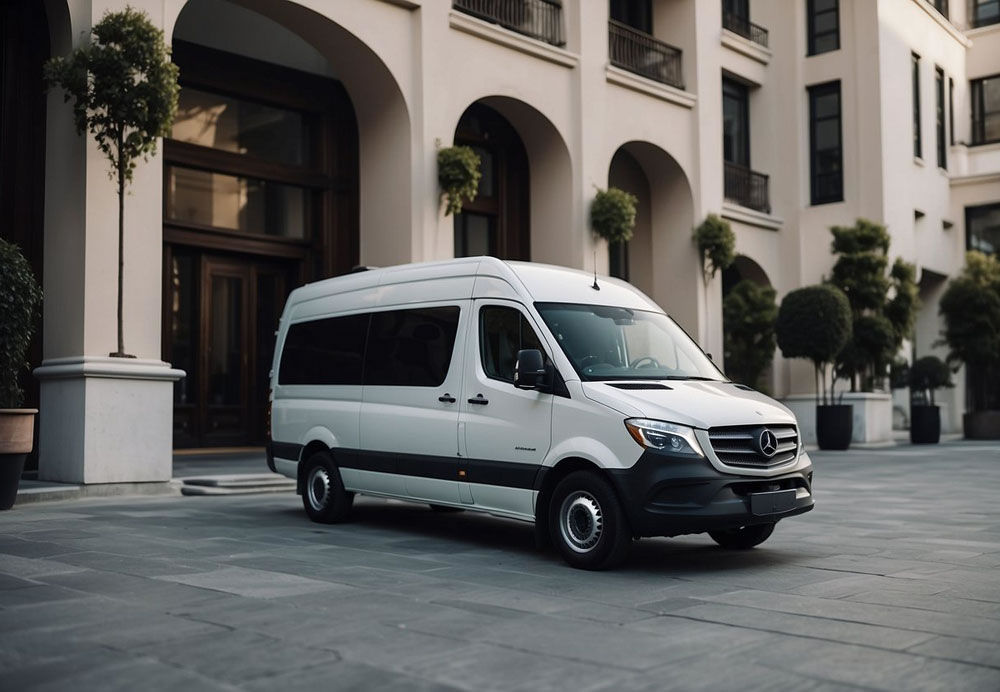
[19,296]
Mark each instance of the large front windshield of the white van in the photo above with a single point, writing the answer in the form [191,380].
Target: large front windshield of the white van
[611,343]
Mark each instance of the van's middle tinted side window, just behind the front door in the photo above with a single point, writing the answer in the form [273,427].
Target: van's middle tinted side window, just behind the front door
[411,347]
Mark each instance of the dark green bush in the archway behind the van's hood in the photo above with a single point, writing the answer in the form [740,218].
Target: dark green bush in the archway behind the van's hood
[748,314]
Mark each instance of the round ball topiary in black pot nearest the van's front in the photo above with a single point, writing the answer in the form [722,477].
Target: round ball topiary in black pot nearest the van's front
[815,323]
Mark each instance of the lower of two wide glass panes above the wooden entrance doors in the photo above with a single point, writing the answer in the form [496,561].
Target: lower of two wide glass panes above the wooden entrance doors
[240,204]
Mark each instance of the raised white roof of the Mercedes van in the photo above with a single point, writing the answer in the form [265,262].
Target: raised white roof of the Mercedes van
[534,281]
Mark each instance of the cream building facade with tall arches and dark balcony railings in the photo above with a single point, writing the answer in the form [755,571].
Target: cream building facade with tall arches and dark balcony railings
[306,144]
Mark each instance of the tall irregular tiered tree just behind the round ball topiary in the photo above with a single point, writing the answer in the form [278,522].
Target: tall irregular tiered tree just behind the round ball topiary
[880,324]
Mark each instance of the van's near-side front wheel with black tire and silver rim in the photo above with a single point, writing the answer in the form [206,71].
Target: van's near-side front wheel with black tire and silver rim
[587,522]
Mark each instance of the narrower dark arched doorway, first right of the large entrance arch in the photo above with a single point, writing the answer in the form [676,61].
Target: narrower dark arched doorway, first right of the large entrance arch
[497,222]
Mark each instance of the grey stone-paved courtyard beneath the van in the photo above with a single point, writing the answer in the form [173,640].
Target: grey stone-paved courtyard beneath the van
[891,583]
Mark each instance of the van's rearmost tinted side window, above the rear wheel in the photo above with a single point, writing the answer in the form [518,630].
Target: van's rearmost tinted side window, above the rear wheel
[326,351]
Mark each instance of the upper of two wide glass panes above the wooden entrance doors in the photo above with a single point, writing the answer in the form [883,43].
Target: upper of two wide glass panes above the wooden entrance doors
[238,126]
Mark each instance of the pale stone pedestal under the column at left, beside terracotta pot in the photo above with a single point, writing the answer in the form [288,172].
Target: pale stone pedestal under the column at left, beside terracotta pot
[106,420]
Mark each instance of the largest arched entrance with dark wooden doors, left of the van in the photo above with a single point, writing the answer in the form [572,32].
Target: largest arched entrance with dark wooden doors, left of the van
[260,196]
